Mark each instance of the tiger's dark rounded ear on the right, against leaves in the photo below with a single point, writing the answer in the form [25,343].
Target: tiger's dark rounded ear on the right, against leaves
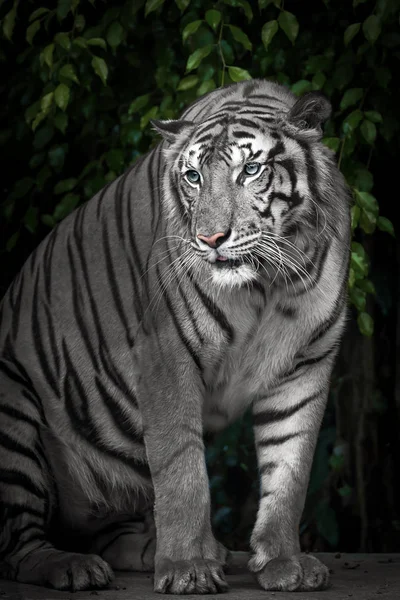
[310,112]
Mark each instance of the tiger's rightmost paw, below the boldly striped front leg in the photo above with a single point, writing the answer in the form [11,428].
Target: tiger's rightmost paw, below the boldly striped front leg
[301,573]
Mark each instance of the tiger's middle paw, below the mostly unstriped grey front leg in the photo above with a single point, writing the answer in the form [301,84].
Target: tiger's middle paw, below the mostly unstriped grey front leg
[196,576]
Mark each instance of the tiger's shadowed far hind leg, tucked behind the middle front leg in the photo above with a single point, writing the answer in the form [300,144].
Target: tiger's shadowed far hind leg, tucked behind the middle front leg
[128,546]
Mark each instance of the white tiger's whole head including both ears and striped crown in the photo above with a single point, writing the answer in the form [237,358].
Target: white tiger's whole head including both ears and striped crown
[250,185]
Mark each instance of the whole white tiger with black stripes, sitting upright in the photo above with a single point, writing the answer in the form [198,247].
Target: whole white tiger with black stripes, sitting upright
[209,278]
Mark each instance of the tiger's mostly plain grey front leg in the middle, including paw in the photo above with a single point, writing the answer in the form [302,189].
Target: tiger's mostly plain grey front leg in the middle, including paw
[188,558]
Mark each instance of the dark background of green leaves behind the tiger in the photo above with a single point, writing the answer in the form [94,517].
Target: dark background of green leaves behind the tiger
[81,80]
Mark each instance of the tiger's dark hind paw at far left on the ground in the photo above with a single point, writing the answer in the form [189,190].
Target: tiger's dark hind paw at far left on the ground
[67,571]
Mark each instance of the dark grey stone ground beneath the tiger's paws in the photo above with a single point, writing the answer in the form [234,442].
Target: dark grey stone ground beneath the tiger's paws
[354,576]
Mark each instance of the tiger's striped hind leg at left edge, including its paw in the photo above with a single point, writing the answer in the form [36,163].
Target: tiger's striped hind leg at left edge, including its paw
[28,498]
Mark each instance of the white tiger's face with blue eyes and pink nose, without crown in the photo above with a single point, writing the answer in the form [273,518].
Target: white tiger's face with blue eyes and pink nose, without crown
[247,192]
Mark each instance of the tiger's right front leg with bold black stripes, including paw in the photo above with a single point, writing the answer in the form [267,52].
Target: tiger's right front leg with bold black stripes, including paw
[286,425]
